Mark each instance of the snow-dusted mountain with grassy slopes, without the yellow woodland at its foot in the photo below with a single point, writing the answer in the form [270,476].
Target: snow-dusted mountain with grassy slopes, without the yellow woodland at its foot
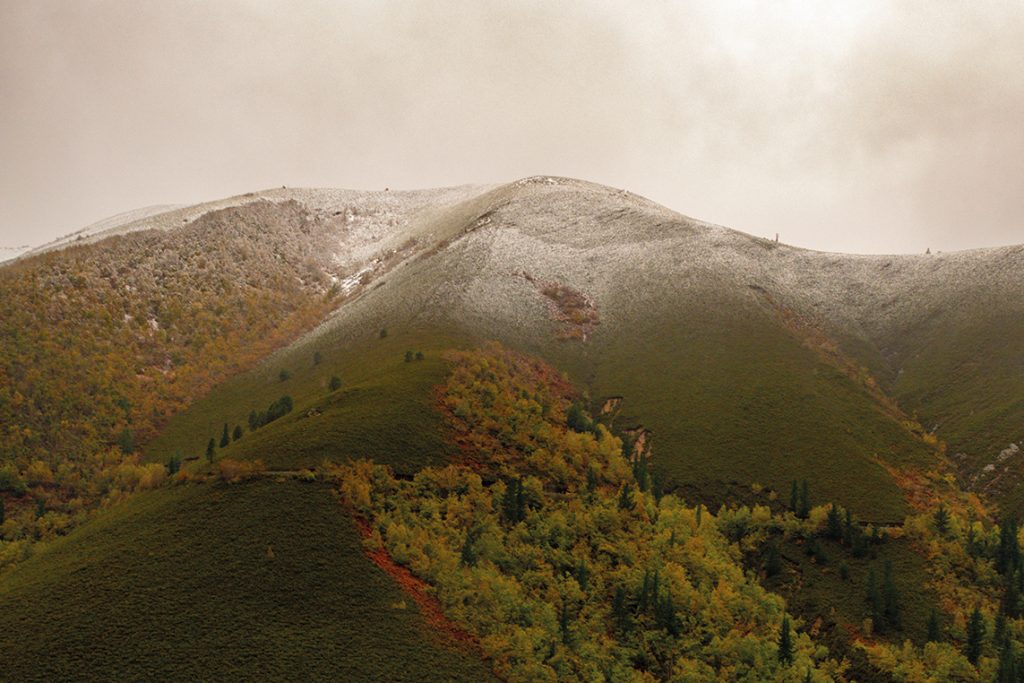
[738,365]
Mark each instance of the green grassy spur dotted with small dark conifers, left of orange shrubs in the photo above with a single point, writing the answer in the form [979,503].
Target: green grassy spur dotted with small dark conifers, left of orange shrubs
[385,410]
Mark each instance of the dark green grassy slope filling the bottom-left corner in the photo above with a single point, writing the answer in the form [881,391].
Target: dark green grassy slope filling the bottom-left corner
[180,585]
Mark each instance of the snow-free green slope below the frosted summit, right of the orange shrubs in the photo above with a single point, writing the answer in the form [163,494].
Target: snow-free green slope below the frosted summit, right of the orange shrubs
[733,398]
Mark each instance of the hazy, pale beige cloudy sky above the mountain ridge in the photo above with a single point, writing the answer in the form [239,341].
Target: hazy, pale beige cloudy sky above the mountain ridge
[850,126]
